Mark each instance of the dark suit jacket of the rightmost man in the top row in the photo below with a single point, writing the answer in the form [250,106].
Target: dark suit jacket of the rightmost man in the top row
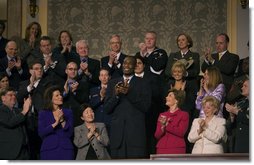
[227,66]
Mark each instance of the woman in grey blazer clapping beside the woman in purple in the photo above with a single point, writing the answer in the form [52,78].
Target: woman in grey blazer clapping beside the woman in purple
[91,138]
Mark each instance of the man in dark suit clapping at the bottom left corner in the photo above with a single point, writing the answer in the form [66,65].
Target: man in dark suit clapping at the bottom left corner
[13,138]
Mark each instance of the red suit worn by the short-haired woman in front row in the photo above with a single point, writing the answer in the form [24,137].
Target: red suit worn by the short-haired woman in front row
[171,141]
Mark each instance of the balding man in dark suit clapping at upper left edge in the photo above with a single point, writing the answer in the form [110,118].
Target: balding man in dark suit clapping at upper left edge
[13,66]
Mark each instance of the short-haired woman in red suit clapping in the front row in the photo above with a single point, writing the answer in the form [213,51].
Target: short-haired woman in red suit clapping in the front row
[172,125]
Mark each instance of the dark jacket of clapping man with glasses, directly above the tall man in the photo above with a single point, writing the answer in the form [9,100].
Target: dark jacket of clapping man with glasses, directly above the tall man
[114,70]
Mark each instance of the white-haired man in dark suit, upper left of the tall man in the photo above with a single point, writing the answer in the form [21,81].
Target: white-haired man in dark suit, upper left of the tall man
[88,68]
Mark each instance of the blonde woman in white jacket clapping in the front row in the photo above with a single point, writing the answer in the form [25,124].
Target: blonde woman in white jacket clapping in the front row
[208,133]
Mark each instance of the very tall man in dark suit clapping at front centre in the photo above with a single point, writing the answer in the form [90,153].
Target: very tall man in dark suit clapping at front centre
[128,98]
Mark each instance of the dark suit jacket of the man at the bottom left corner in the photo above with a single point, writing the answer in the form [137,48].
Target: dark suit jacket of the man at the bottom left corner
[12,133]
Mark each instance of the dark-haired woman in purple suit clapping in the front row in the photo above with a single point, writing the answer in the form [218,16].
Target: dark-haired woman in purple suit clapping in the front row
[55,127]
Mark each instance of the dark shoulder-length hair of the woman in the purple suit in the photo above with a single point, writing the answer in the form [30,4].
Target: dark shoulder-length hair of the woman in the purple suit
[48,94]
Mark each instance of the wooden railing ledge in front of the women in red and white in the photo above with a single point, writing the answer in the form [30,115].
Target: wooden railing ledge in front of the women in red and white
[203,157]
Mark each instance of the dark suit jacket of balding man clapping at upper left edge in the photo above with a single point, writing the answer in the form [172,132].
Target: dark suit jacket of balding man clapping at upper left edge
[15,77]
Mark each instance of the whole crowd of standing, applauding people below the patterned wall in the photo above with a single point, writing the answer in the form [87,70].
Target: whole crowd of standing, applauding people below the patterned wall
[66,105]
